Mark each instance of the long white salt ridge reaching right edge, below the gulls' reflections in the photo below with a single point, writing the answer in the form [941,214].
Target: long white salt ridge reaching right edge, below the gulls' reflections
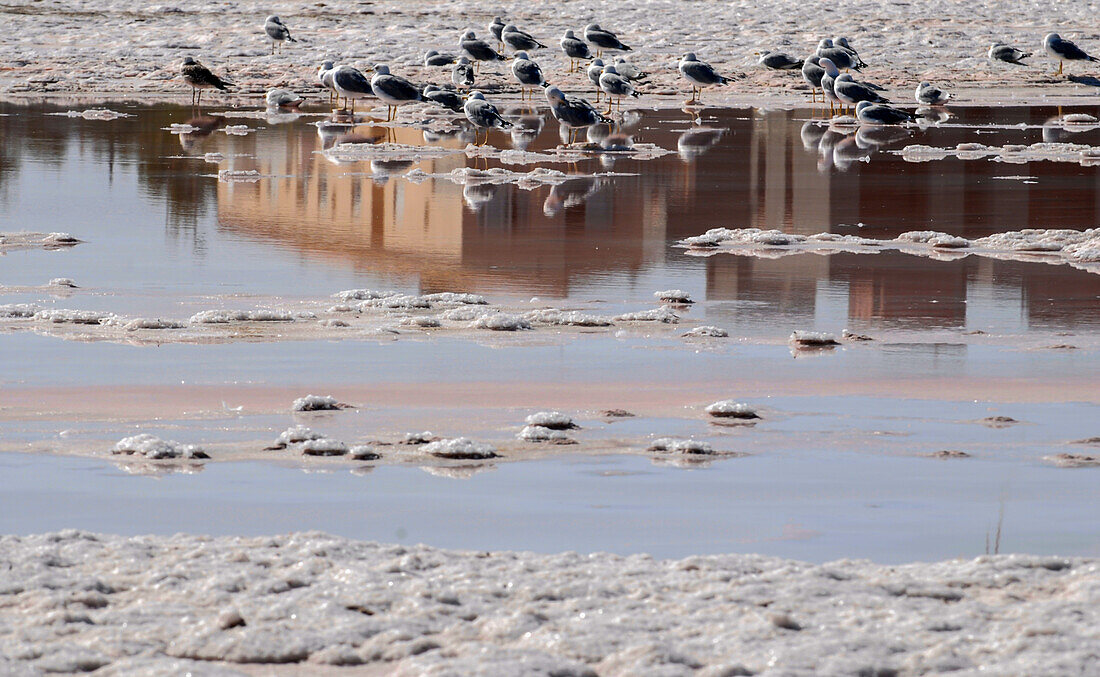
[1077,248]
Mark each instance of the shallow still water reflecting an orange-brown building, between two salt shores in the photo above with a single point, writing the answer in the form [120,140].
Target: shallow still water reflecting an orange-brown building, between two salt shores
[174,225]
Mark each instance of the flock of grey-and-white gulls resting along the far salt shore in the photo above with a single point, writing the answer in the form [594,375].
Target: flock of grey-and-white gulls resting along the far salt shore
[822,71]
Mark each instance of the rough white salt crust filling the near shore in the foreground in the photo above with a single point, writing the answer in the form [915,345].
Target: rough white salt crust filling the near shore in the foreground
[75,600]
